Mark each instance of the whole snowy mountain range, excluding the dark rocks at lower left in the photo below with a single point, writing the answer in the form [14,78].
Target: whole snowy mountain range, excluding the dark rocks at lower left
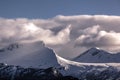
[94,63]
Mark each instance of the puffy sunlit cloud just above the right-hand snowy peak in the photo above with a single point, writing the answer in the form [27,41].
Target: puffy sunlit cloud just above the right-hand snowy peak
[94,37]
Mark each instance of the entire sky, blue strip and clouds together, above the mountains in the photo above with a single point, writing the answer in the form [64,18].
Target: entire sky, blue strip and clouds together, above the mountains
[69,27]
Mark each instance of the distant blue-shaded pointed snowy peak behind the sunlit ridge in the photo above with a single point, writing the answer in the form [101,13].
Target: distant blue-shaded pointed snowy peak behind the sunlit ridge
[96,55]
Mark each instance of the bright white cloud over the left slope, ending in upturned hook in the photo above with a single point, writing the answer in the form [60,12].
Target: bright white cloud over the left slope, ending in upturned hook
[13,31]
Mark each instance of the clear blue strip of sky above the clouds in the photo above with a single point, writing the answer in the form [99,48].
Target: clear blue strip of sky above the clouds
[50,8]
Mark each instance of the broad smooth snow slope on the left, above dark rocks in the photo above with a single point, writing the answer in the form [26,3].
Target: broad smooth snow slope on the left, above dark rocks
[33,54]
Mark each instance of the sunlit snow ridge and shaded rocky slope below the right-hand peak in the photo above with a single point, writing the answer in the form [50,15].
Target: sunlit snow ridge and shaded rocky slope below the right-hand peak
[90,71]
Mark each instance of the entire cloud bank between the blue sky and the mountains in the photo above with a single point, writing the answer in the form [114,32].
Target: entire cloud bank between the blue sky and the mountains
[65,34]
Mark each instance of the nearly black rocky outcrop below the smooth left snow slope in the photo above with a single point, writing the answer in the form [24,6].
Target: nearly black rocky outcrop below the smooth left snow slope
[10,72]
